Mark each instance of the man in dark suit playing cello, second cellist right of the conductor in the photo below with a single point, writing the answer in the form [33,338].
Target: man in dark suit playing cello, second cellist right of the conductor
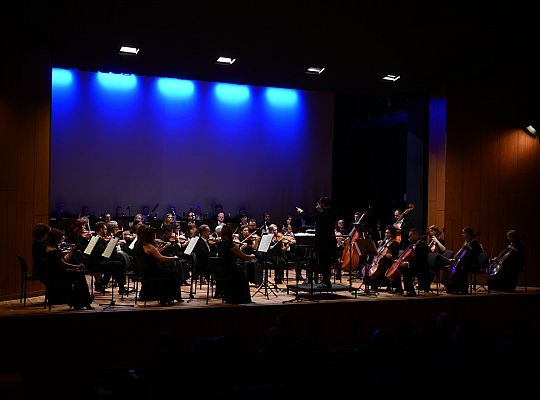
[416,266]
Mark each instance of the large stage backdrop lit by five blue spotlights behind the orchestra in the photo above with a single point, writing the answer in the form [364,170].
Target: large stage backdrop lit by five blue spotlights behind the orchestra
[126,140]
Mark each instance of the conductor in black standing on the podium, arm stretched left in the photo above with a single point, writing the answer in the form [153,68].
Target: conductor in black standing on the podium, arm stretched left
[325,241]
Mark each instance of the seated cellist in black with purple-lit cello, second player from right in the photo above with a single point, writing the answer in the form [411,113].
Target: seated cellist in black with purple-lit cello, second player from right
[463,262]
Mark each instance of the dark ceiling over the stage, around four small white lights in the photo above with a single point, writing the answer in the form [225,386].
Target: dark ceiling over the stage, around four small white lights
[357,42]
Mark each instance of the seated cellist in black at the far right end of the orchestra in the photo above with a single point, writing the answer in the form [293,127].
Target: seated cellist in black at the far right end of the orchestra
[511,260]
